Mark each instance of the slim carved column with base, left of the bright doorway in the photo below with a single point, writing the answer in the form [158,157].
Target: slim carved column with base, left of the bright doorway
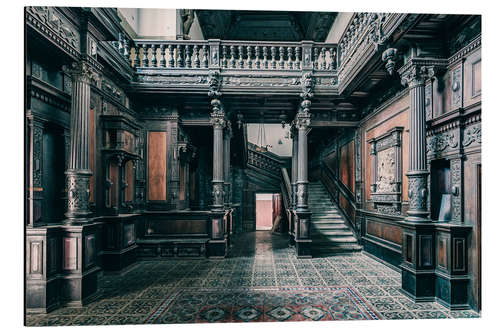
[217,245]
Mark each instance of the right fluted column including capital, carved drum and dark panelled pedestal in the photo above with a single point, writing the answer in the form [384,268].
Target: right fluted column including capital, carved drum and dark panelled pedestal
[418,250]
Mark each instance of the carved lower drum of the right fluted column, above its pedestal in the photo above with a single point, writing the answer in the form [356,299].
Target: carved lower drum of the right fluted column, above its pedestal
[417,193]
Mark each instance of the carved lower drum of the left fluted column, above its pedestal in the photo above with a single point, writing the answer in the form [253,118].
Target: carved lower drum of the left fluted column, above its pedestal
[78,185]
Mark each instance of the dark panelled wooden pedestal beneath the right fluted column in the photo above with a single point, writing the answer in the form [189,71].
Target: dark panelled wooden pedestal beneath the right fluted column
[434,265]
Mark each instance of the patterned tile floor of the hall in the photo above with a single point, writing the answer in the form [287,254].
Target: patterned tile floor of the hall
[261,280]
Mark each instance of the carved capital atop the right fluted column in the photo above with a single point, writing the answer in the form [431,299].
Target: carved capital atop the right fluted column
[417,70]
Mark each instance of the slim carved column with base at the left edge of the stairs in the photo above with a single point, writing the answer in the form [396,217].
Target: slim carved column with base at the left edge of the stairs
[302,122]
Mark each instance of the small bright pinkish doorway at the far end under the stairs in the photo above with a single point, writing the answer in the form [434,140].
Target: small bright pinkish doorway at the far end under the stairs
[267,210]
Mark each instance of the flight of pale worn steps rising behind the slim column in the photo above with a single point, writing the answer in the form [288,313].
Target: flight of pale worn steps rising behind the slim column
[330,231]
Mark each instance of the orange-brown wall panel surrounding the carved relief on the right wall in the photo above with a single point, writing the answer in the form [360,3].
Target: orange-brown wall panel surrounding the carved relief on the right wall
[396,114]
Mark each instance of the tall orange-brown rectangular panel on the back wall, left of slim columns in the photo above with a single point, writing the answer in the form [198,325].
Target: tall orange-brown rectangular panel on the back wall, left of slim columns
[157,166]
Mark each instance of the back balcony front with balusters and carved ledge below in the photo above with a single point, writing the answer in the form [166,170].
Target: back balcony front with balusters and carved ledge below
[245,66]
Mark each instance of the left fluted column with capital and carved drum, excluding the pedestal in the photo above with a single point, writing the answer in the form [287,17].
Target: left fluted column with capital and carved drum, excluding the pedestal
[78,172]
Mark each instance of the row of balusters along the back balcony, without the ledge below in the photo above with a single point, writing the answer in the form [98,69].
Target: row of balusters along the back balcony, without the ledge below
[233,55]
